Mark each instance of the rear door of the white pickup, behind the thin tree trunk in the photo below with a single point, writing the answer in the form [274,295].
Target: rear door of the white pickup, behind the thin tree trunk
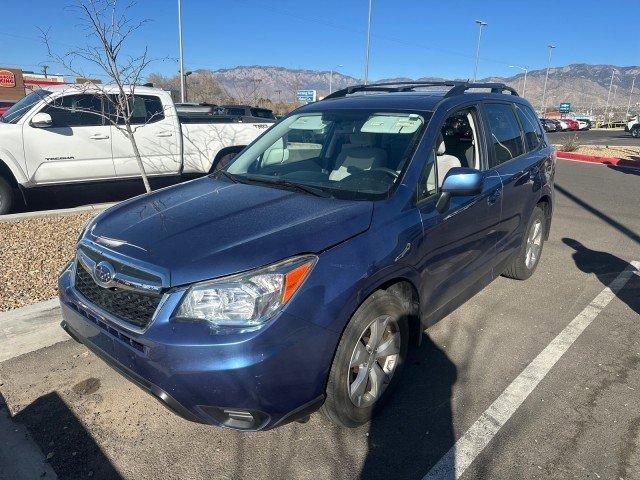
[157,135]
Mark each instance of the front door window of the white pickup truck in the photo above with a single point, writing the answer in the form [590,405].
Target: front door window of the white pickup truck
[82,110]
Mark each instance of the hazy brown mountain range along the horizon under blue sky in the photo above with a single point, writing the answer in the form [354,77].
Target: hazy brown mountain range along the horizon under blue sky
[585,86]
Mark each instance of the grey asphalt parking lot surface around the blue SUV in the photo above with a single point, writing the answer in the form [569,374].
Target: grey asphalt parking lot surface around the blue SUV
[581,419]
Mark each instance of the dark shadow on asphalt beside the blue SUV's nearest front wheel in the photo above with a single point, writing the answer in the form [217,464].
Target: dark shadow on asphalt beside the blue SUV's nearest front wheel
[415,429]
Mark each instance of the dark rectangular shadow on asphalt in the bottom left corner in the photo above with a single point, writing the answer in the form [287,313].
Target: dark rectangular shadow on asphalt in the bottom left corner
[70,448]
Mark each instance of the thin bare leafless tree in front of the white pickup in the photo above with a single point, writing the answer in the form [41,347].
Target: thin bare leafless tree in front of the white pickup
[108,30]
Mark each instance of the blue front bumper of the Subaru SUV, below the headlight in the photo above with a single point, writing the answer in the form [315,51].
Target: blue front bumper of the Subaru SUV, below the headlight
[248,381]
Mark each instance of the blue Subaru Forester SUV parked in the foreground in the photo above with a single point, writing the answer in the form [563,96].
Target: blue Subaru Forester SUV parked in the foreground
[295,276]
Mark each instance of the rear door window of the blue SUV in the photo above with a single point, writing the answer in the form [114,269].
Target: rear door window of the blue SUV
[505,133]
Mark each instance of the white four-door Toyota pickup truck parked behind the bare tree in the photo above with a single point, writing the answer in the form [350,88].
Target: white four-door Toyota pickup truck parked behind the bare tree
[50,137]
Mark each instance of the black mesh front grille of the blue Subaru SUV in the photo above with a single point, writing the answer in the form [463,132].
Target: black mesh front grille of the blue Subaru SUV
[132,307]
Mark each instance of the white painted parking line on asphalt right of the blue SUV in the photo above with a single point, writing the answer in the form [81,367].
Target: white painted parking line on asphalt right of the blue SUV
[454,463]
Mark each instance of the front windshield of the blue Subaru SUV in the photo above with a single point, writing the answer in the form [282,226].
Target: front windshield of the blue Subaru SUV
[351,154]
